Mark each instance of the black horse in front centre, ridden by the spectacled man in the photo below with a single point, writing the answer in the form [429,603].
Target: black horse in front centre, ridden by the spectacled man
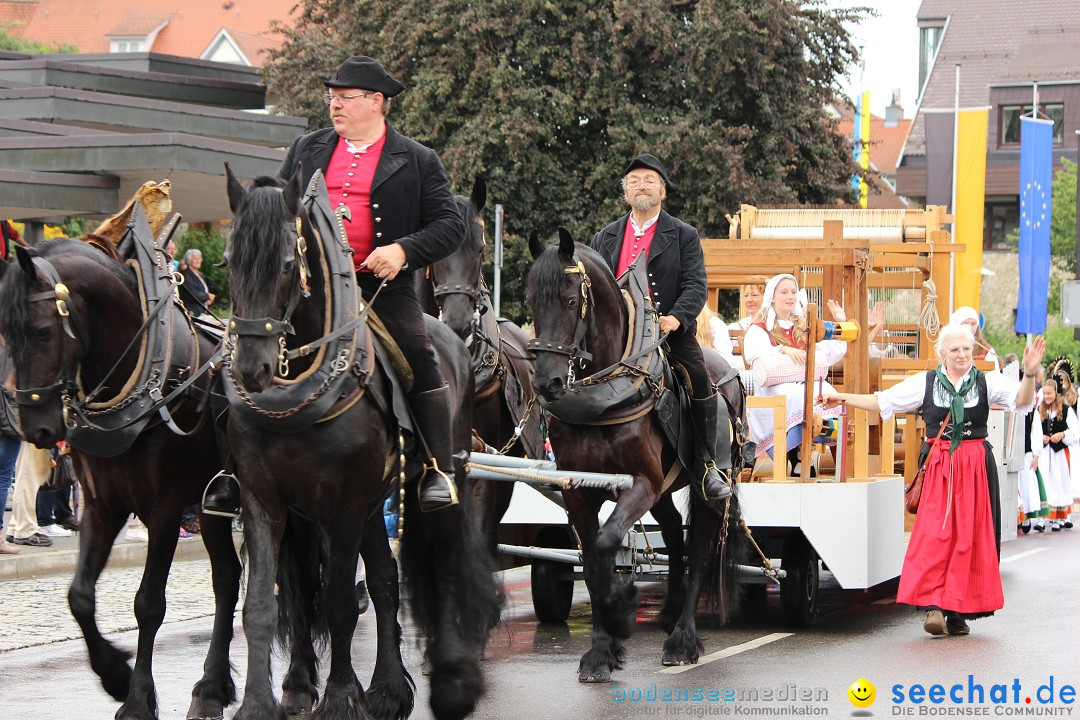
[337,472]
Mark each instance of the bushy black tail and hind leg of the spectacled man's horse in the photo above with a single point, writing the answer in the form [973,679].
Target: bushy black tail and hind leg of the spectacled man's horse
[454,599]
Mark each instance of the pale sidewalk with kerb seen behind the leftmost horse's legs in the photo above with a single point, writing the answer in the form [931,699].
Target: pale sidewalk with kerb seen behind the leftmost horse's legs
[64,554]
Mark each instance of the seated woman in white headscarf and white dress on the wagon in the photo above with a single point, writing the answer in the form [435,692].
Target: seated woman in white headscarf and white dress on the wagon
[776,349]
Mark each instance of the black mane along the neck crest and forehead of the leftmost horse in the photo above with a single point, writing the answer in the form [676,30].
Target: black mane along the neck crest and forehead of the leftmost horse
[18,288]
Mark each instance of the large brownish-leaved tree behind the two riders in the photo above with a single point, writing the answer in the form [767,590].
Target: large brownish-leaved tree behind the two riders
[549,100]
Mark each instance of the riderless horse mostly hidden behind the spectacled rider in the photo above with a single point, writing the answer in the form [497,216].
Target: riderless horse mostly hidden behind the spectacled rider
[505,414]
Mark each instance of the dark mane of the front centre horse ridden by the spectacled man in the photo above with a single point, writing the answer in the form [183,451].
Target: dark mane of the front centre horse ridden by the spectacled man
[260,238]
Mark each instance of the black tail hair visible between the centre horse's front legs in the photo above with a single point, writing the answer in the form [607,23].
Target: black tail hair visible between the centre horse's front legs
[303,561]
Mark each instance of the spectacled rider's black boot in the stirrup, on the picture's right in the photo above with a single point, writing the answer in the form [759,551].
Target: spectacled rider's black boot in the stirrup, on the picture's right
[434,416]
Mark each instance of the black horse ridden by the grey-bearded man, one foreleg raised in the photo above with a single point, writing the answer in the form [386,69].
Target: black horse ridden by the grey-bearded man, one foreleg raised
[578,308]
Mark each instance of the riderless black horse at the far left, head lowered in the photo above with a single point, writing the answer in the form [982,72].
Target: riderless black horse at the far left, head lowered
[156,479]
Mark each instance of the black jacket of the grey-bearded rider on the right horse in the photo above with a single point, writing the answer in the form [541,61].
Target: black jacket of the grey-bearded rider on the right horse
[677,266]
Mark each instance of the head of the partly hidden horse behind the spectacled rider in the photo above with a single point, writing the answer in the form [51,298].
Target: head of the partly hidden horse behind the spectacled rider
[457,279]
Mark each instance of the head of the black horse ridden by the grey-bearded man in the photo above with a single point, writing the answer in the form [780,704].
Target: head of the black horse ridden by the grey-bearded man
[579,319]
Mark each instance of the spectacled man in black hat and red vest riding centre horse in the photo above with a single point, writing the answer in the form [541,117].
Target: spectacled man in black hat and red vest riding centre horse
[399,214]
